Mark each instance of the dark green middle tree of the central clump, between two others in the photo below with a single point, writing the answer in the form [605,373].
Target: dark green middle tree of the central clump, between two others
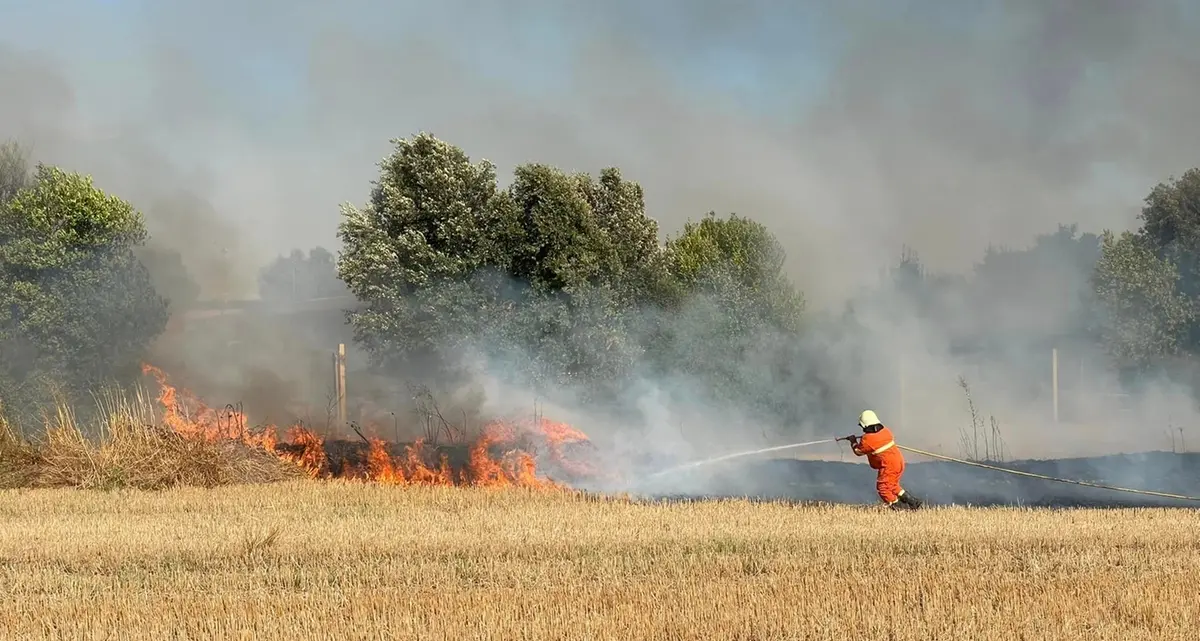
[589,259]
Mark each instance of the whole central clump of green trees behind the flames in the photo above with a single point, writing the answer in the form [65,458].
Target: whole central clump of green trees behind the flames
[561,275]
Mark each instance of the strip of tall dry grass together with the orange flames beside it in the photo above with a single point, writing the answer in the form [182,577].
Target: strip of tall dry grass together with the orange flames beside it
[177,440]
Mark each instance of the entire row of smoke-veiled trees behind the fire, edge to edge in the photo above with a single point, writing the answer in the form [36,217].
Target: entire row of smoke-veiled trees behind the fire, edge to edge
[561,280]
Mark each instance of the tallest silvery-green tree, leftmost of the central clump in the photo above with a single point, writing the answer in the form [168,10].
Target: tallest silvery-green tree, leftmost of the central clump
[418,255]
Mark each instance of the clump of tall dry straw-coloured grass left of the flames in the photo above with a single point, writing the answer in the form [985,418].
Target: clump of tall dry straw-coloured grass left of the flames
[129,448]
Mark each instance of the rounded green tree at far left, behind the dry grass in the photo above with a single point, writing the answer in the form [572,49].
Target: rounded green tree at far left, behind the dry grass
[77,308]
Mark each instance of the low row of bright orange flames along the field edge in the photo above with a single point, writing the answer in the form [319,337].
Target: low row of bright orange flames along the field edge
[419,465]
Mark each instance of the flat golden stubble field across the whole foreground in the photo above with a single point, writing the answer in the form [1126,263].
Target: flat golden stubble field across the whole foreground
[310,560]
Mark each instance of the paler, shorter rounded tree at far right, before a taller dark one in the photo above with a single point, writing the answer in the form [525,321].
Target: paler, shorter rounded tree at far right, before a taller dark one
[1144,316]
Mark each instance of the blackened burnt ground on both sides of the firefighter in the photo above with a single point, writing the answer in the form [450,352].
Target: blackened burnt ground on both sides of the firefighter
[947,483]
